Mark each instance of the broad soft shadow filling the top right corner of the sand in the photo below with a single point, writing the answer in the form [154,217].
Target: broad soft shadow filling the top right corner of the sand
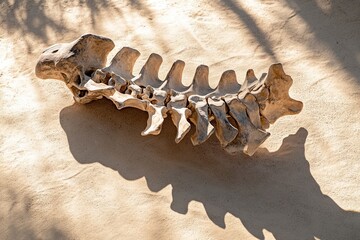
[338,29]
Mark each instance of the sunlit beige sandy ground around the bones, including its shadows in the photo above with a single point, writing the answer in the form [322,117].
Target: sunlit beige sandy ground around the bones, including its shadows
[70,171]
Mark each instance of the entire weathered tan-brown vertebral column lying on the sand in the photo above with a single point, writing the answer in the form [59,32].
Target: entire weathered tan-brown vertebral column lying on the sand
[237,114]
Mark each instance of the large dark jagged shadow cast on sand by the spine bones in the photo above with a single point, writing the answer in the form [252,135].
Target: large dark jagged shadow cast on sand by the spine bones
[272,190]
